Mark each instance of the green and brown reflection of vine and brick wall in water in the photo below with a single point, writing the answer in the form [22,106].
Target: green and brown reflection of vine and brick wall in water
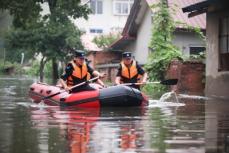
[178,130]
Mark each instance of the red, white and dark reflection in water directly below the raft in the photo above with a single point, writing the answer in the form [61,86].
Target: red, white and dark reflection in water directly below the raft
[90,130]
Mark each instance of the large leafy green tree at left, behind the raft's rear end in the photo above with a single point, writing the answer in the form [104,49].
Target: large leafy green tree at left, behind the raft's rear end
[52,35]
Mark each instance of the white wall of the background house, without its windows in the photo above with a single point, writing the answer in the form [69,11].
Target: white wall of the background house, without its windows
[106,21]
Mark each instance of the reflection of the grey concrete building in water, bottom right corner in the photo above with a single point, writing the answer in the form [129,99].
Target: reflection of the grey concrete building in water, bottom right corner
[217,126]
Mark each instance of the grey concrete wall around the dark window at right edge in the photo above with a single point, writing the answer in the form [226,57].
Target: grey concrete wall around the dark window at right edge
[217,82]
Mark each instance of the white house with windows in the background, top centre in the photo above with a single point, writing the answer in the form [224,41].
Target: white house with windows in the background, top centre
[107,16]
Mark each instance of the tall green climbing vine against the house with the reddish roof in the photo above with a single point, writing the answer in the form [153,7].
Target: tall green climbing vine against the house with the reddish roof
[163,50]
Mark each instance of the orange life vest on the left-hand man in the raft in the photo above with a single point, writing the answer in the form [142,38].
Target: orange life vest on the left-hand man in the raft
[77,72]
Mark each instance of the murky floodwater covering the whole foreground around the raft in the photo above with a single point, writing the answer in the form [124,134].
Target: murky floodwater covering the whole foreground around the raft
[182,124]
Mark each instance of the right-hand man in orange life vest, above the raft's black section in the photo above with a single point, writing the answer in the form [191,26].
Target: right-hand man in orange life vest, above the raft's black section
[130,72]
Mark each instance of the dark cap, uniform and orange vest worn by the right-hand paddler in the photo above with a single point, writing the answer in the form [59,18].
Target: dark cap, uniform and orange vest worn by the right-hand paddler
[130,74]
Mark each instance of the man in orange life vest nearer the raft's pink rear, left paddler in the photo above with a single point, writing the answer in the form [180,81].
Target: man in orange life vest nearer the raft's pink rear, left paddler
[78,71]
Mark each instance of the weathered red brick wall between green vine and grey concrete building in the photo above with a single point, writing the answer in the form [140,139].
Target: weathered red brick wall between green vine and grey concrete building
[191,75]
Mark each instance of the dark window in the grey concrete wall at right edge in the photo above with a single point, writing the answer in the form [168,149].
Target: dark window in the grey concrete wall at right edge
[224,44]
